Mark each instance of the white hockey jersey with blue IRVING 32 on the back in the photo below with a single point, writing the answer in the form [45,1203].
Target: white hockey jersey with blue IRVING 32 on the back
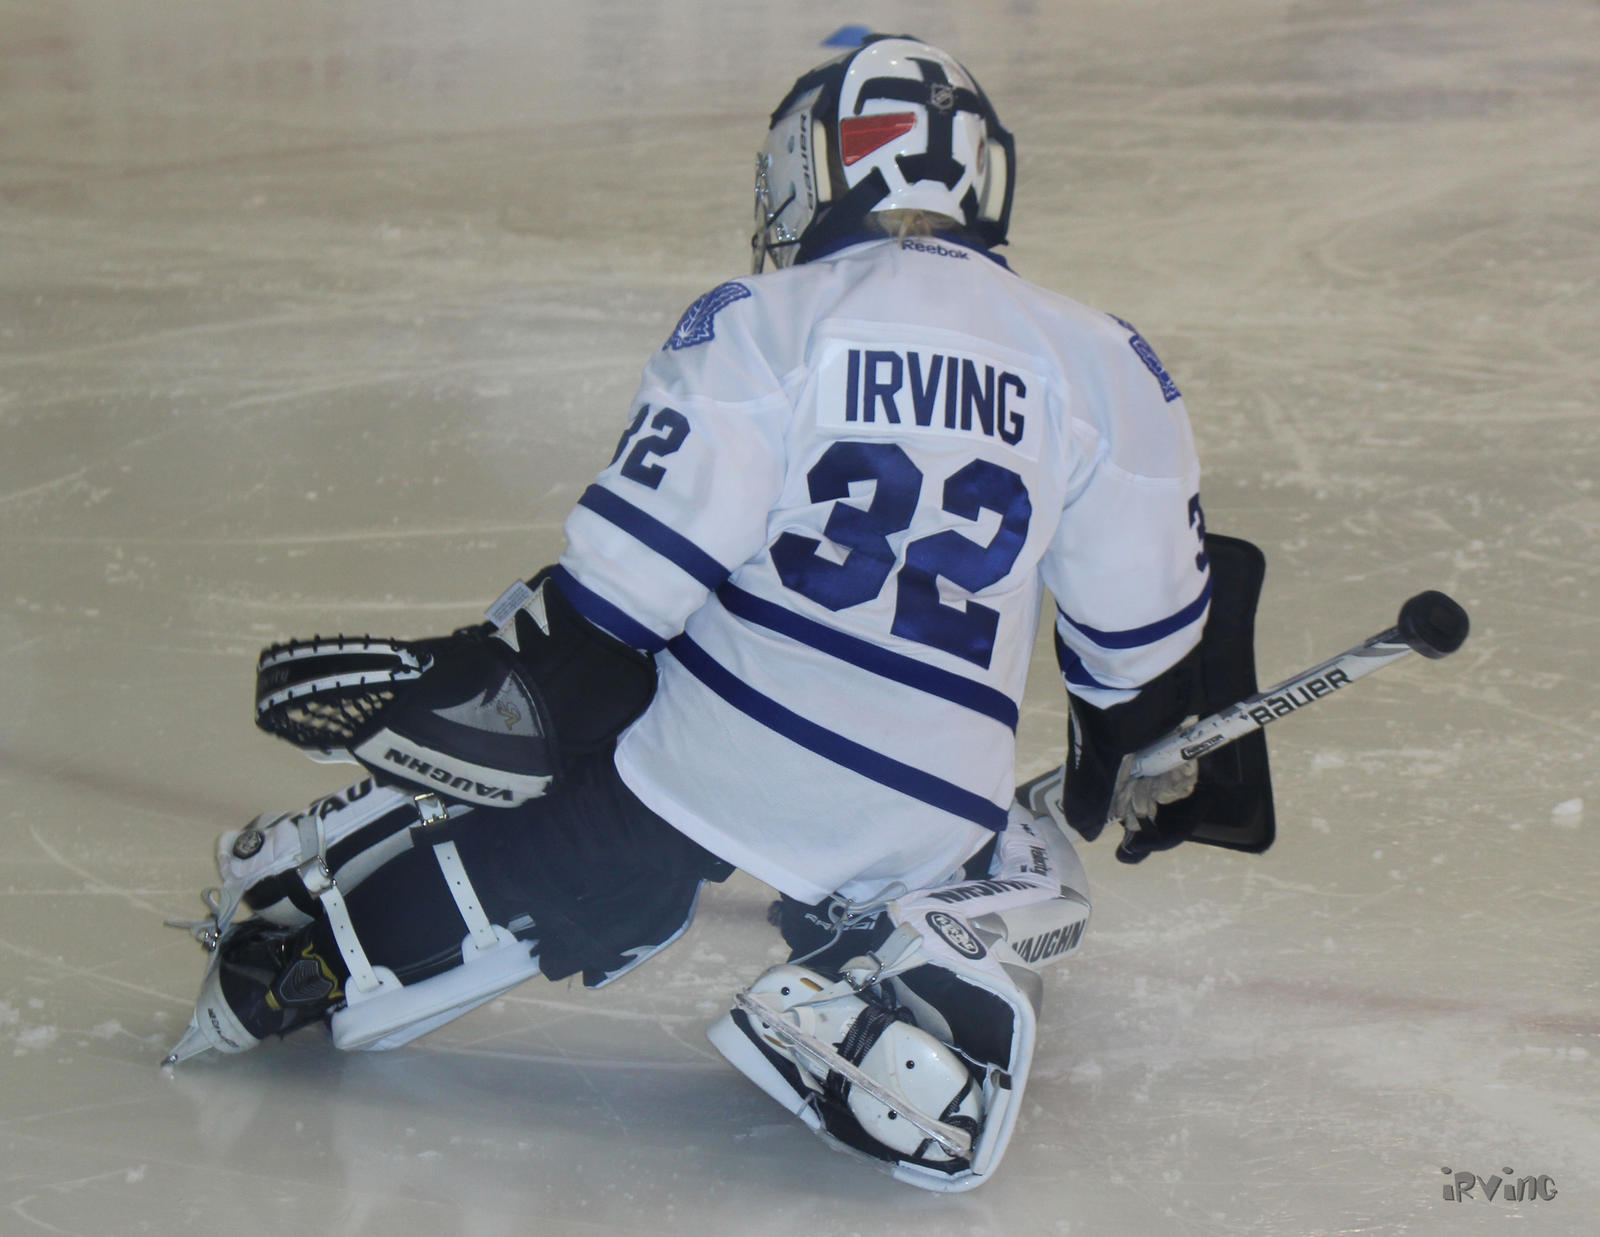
[833,514]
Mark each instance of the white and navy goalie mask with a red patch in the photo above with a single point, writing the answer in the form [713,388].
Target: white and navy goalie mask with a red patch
[892,126]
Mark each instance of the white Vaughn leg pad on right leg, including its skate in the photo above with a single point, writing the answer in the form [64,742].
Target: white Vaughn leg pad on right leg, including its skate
[916,1054]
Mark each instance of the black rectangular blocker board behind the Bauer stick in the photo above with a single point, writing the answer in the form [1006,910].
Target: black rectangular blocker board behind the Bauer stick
[1233,801]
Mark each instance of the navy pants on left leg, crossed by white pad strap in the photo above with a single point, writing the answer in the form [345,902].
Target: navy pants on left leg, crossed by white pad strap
[588,873]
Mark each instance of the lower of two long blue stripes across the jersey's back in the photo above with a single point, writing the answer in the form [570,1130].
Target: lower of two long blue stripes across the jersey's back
[833,747]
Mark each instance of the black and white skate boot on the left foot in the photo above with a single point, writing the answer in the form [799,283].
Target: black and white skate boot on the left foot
[263,980]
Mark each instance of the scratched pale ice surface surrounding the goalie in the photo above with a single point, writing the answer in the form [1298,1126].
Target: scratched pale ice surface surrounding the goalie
[319,314]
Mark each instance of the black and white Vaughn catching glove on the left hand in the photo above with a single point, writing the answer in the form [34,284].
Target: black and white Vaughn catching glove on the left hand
[489,716]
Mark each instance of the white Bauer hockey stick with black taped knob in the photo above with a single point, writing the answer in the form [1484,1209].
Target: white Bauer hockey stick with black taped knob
[1430,623]
